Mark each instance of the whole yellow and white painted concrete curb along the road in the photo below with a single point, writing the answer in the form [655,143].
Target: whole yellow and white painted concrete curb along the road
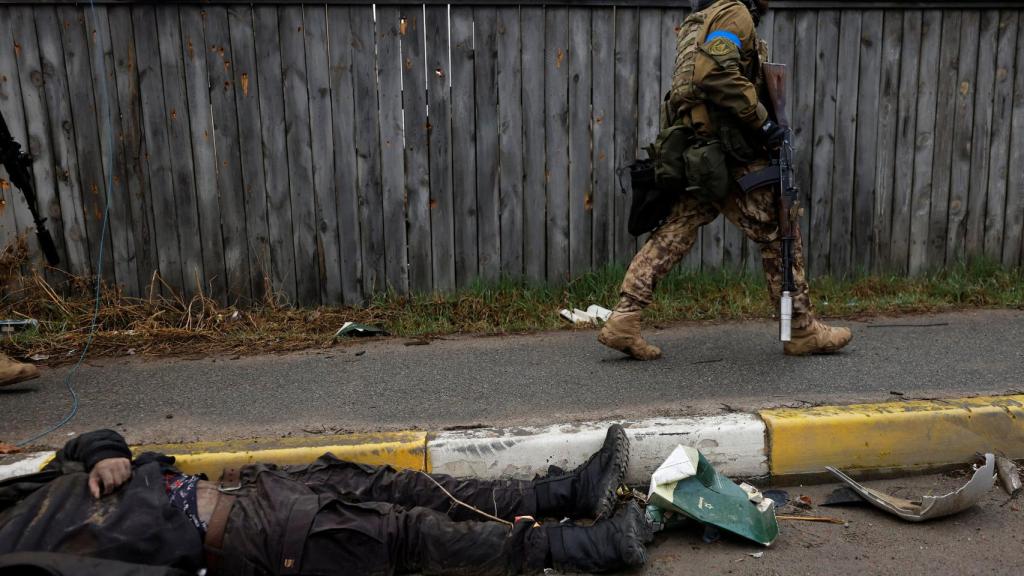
[913,436]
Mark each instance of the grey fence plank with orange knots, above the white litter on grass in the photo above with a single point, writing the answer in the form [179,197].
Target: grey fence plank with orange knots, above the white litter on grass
[581,183]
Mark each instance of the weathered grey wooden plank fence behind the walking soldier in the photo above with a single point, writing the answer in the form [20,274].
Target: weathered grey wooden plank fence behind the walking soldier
[334,150]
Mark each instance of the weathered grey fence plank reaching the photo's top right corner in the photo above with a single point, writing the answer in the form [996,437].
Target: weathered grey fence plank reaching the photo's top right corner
[999,173]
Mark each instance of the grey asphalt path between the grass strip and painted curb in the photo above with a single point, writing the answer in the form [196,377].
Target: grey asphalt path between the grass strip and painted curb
[530,380]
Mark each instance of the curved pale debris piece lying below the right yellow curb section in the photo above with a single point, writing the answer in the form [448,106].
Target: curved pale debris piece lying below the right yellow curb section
[929,508]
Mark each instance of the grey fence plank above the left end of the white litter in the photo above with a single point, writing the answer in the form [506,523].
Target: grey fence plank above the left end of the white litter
[557,137]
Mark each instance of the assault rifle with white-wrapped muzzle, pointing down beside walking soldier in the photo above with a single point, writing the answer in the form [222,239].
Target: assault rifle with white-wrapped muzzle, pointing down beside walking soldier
[780,174]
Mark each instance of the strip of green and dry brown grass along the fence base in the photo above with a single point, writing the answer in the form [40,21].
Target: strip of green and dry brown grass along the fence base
[170,325]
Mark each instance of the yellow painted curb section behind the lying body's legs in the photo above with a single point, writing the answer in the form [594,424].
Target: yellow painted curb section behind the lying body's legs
[402,450]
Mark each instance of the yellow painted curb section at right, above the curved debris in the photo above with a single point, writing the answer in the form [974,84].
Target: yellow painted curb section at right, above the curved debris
[905,436]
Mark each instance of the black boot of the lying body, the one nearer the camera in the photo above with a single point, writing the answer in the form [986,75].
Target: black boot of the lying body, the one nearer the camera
[609,545]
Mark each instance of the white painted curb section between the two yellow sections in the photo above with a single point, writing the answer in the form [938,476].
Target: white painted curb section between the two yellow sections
[735,444]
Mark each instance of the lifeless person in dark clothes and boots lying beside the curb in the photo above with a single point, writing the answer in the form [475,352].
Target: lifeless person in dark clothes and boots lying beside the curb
[328,518]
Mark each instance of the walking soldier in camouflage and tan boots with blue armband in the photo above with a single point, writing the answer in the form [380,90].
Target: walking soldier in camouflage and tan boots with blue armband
[715,92]
